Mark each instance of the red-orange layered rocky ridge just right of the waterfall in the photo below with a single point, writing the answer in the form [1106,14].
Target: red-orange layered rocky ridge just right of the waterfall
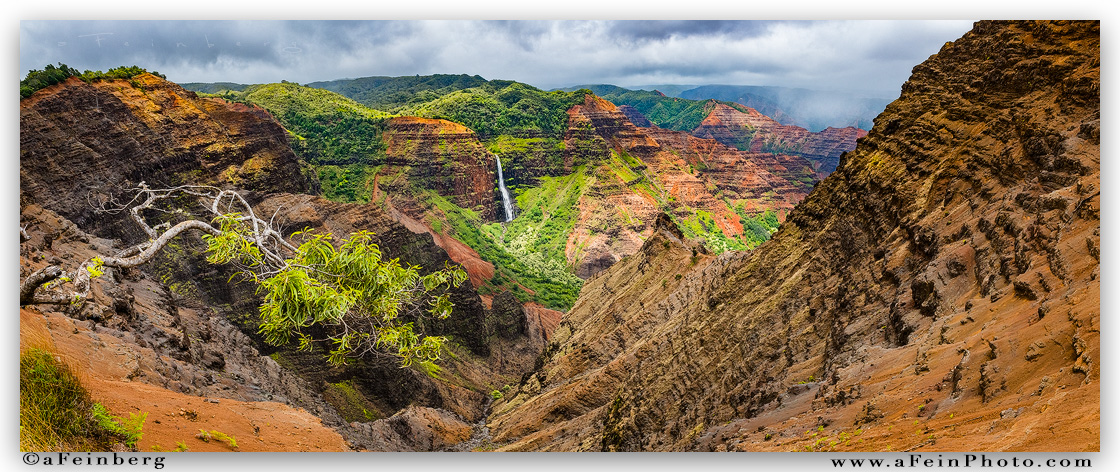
[639,172]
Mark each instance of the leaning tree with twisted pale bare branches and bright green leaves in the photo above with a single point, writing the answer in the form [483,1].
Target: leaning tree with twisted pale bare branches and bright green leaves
[311,283]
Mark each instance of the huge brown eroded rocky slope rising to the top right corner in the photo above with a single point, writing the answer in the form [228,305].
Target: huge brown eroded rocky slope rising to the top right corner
[940,291]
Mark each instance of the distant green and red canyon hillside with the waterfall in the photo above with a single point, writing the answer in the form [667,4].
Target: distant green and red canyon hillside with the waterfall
[586,181]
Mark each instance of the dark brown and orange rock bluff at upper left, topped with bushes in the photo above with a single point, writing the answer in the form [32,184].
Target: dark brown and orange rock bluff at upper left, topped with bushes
[80,143]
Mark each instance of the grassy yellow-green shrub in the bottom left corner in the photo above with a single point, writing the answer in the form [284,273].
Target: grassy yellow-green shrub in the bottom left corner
[57,412]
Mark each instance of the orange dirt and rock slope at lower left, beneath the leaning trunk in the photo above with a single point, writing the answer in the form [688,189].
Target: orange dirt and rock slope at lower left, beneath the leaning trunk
[141,347]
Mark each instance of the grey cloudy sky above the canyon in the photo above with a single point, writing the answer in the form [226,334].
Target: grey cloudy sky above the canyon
[874,58]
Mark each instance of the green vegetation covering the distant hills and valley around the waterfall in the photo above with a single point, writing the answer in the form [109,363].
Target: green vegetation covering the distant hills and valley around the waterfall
[342,142]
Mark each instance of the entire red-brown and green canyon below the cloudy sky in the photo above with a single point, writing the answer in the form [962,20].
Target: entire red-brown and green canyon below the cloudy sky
[930,285]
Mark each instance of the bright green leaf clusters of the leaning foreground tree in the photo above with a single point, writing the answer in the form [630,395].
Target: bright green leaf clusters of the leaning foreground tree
[368,304]
